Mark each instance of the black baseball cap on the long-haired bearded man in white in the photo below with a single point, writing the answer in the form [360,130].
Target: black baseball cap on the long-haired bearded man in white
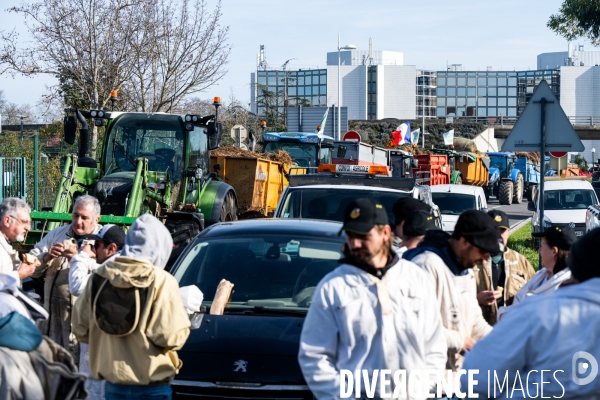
[362,215]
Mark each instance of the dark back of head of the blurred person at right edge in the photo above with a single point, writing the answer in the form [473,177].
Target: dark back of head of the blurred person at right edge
[583,259]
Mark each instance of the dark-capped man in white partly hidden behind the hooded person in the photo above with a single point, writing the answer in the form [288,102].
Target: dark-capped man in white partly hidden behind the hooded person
[102,247]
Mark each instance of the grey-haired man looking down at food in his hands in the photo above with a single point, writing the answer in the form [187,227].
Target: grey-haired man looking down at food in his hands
[54,253]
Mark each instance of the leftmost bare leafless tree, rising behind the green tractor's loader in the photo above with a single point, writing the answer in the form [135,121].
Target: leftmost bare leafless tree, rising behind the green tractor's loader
[82,42]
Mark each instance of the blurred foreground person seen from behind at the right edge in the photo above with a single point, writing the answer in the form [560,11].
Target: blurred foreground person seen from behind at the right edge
[548,346]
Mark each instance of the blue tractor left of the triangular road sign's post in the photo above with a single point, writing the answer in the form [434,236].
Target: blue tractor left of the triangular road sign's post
[511,178]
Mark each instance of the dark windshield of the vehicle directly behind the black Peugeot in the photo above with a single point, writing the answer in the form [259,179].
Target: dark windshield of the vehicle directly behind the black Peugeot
[330,204]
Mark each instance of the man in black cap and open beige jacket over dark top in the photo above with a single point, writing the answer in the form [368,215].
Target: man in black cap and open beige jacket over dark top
[503,275]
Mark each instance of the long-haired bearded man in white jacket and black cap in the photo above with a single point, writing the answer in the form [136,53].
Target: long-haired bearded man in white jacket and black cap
[374,312]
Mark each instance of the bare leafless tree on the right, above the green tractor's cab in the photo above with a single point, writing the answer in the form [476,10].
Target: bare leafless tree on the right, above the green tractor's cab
[187,55]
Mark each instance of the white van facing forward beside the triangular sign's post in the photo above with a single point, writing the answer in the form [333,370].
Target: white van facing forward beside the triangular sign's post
[566,201]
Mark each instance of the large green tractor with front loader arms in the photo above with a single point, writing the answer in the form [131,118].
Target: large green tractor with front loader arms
[153,163]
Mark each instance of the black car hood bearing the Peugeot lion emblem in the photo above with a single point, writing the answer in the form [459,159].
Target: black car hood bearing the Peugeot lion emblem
[243,348]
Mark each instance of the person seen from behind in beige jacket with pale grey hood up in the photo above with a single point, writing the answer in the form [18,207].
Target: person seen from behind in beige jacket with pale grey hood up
[135,352]
